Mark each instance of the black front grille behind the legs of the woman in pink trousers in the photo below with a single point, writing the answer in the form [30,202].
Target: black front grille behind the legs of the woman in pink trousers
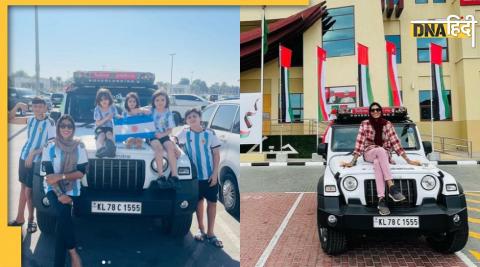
[407,187]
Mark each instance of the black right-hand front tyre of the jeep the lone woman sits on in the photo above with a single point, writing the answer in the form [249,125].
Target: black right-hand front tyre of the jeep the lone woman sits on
[449,242]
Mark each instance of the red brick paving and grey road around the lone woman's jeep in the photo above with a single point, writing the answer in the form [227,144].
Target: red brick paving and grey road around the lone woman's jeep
[279,226]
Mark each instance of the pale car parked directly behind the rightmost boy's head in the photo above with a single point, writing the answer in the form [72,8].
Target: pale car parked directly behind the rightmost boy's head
[180,103]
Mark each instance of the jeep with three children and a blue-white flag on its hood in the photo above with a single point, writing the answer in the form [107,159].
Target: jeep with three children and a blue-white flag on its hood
[125,185]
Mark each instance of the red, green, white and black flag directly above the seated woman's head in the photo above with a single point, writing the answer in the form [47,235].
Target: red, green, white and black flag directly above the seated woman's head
[364,85]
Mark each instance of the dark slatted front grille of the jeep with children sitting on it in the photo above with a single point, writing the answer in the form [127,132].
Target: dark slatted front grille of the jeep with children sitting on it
[116,174]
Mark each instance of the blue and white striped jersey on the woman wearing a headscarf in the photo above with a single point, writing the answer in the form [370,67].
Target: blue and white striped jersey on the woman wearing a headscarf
[53,154]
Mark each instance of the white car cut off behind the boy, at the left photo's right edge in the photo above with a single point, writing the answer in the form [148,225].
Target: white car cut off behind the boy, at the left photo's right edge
[223,118]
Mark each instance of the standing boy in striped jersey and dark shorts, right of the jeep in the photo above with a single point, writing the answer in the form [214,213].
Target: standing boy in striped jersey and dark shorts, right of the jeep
[202,146]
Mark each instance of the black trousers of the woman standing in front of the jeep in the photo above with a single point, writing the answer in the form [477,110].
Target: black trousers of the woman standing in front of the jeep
[65,234]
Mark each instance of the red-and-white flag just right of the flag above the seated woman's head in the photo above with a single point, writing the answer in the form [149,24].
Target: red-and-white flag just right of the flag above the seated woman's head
[394,96]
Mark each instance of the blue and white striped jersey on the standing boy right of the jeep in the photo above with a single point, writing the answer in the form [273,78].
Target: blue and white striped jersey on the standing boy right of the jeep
[199,146]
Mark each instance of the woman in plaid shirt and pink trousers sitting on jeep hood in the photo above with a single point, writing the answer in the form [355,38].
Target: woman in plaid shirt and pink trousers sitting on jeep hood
[376,140]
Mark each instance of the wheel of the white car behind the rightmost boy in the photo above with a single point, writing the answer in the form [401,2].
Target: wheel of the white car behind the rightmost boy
[230,195]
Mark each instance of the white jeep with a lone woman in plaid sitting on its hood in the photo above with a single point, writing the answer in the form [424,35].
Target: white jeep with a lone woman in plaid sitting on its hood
[347,198]
